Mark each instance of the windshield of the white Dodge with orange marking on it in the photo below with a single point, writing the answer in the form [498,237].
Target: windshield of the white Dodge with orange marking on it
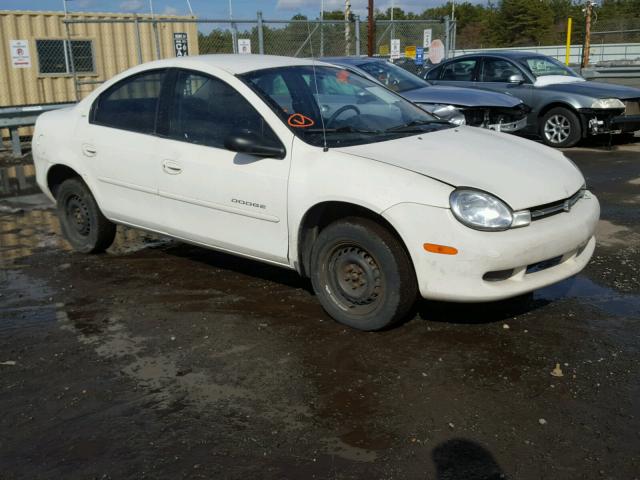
[347,108]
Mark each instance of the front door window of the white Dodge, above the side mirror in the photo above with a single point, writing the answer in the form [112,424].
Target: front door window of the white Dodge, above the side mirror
[206,110]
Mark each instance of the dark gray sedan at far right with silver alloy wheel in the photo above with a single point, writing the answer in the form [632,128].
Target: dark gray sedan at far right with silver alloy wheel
[564,106]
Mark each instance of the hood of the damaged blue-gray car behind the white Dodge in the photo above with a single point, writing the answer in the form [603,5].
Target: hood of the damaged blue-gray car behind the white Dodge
[465,97]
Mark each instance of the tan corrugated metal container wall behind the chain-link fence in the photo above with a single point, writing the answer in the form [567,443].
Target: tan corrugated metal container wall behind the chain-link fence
[115,48]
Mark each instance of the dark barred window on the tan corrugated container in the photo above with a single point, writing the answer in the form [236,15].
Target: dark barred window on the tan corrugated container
[55,56]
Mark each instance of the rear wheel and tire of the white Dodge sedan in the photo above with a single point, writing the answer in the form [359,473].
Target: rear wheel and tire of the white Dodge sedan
[81,221]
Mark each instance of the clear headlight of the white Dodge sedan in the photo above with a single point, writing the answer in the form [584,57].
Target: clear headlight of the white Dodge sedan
[482,211]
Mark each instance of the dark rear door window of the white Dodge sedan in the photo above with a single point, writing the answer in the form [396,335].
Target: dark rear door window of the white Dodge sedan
[130,104]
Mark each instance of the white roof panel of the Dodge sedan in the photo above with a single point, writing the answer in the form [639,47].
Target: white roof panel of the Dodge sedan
[236,63]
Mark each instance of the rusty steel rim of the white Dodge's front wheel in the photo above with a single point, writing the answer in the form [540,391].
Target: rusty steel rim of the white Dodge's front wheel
[354,279]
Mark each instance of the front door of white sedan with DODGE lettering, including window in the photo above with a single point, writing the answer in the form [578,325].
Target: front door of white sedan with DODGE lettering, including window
[212,195]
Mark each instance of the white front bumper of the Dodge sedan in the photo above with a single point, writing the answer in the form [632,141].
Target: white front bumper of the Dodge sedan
[495,265]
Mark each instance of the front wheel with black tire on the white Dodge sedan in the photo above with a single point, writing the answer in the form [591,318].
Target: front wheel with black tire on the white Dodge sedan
[362,275]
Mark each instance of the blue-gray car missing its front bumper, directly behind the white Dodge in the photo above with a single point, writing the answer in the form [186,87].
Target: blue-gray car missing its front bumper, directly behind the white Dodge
[496,111]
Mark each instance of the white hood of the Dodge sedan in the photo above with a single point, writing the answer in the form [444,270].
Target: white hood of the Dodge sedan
[521,172]
